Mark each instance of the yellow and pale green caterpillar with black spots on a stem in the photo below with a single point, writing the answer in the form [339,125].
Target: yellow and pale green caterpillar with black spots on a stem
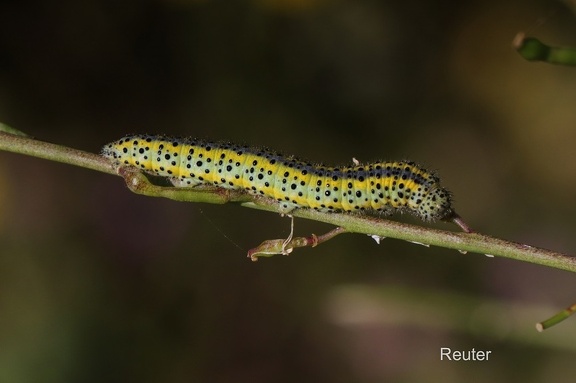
[377,187]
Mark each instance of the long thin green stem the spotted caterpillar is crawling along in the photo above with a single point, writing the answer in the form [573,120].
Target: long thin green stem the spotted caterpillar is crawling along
[352,223]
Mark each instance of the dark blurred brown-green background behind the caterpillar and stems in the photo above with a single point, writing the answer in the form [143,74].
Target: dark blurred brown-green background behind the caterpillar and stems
[101,285]
